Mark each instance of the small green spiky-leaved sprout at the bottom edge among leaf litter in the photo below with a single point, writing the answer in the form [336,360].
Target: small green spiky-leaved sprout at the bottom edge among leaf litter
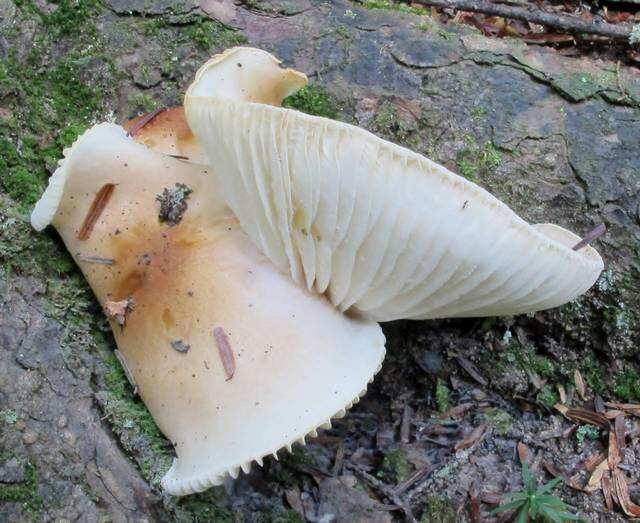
[535,503]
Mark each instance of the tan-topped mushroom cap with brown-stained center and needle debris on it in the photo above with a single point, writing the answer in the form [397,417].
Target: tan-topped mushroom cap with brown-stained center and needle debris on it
[233,360]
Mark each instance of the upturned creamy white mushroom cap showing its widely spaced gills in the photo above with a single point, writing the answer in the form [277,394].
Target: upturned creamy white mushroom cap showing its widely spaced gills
[383,231]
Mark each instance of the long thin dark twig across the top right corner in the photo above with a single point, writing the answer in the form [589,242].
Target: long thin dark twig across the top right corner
[566,23]
